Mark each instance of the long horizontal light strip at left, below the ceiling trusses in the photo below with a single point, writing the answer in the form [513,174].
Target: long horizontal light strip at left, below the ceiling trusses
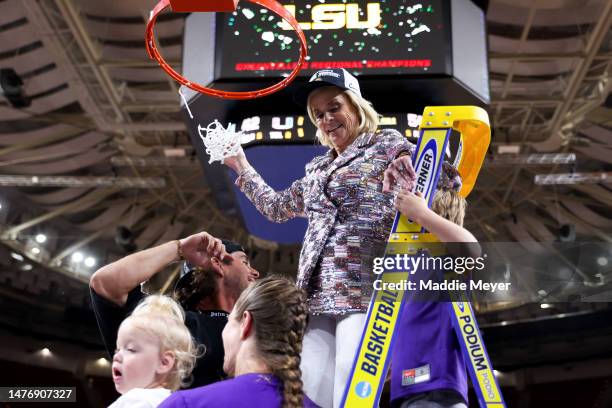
[68,181]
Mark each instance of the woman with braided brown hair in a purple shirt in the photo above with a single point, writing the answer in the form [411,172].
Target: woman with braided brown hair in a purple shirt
[263,342]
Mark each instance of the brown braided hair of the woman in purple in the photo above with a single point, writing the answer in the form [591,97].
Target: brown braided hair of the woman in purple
[280,316]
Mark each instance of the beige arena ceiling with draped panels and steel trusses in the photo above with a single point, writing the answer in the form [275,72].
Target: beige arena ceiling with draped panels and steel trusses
[104,128]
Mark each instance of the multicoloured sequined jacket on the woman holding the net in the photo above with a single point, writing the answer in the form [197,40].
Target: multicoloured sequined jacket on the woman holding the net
[349,218]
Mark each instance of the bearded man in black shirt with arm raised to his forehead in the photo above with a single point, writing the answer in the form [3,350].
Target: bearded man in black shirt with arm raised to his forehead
[215,273]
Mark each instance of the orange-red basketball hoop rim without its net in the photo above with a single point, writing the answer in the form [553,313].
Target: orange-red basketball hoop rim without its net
[223,5]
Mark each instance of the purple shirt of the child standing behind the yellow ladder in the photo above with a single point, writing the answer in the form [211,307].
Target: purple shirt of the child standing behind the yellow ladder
[426,355]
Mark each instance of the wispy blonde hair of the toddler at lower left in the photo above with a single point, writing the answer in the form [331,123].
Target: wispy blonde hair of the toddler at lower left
[163,318]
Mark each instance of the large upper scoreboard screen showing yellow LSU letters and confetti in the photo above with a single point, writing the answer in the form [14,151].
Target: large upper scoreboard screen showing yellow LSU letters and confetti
[386,37]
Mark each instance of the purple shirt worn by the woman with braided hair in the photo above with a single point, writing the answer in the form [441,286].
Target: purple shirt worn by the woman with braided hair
[247,390]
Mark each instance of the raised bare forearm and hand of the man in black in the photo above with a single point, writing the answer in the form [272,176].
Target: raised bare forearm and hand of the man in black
[115,281]
